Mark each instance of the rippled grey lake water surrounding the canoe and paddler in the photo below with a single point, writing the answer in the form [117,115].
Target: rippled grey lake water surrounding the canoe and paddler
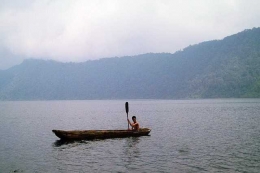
[220,135]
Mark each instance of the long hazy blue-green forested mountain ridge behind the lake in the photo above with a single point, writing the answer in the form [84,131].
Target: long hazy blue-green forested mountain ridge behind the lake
[225,68]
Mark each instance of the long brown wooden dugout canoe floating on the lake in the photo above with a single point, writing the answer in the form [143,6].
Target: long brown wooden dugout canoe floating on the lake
[99,134]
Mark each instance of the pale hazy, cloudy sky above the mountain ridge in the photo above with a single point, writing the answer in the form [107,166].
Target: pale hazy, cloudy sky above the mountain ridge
[79,30]
